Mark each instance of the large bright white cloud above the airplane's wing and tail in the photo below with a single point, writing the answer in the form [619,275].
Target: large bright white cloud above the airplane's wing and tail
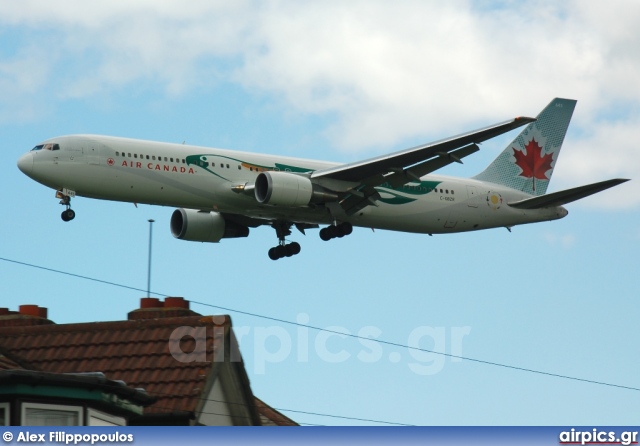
[414,68]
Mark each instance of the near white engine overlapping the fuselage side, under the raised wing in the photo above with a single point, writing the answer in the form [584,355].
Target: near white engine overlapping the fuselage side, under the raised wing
[283,189]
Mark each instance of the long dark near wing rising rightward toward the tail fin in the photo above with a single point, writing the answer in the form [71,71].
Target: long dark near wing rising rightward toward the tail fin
[357,181]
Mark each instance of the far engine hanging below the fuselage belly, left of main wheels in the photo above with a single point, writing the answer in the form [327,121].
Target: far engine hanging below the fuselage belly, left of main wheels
[203,226]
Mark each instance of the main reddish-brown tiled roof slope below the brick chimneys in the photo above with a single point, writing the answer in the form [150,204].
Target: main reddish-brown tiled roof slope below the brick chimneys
[136,351]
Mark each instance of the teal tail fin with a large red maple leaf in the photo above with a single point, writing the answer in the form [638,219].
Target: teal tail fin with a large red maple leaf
[527,163]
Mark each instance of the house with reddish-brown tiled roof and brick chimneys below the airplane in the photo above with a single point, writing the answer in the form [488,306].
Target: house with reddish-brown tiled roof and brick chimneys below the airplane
[189,366]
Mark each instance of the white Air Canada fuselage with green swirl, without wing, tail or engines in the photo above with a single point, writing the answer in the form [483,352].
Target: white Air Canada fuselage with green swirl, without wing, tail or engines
[202,178]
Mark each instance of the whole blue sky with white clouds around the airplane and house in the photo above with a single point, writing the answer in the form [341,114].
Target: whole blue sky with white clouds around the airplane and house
[344,81]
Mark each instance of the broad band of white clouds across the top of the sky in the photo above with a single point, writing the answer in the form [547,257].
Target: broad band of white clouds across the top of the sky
[386,71]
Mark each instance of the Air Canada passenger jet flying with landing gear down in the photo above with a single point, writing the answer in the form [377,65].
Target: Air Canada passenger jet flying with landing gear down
[222,193]
